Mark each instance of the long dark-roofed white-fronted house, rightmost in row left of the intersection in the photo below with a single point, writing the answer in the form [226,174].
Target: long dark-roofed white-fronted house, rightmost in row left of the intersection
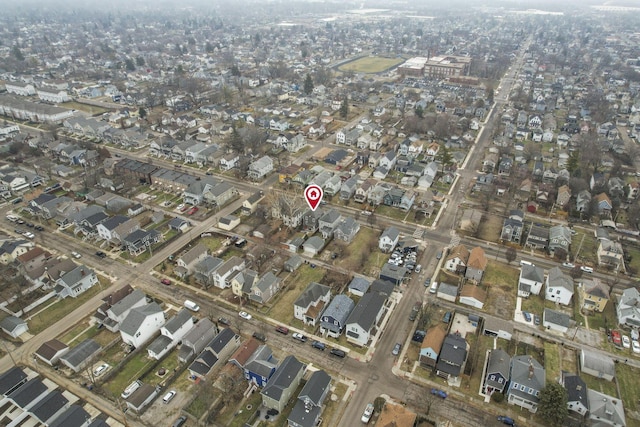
[363,320]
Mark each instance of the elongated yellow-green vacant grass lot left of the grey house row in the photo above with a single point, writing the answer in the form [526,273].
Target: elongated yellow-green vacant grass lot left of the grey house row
[294,284]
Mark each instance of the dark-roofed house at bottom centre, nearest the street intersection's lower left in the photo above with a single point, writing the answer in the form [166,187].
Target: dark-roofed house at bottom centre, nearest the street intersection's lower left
[308,407]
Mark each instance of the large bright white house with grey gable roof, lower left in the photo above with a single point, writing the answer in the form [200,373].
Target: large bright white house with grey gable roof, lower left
[141,324]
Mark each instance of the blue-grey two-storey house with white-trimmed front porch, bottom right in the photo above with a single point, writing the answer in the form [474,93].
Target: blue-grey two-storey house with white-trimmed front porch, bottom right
[527,381]
